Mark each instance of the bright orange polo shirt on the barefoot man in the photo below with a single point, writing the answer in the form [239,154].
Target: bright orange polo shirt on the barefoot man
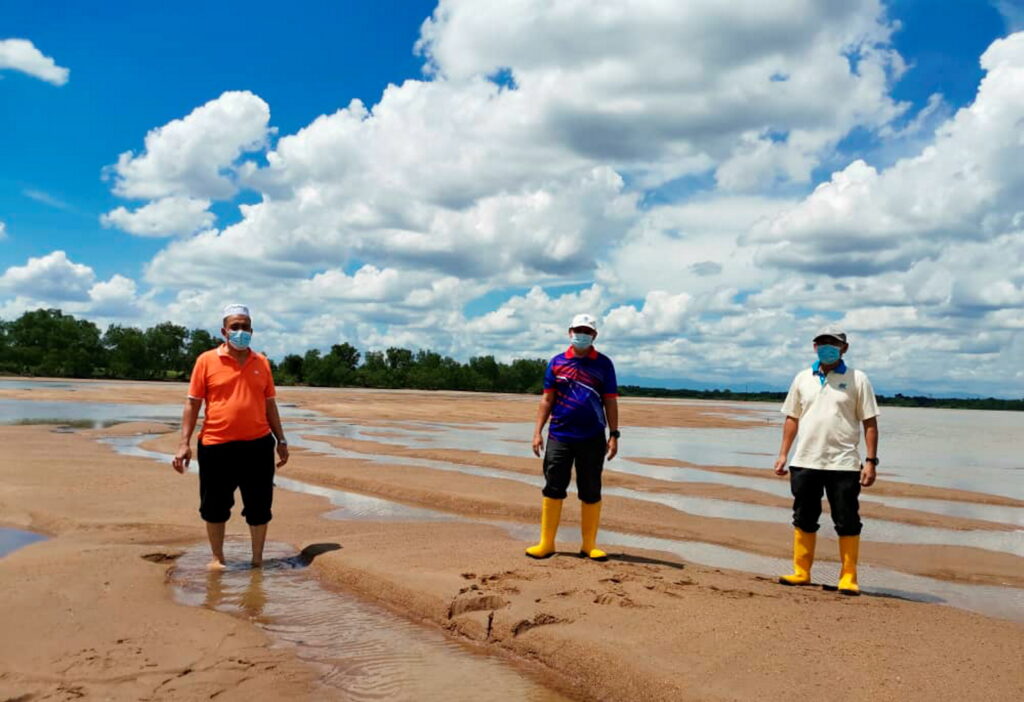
[236,396]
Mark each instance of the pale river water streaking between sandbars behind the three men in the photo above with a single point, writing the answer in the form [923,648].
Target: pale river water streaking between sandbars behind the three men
[971,451]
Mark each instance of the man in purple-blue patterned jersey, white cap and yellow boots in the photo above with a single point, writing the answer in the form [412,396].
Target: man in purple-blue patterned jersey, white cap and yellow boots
[581,398]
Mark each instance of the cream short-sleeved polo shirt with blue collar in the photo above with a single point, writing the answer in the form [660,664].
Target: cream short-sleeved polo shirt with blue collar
[831,411]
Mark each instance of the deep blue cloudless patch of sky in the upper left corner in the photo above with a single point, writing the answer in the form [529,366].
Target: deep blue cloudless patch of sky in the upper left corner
[138,66]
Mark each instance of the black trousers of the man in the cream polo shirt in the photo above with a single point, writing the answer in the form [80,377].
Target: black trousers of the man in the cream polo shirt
[843,491]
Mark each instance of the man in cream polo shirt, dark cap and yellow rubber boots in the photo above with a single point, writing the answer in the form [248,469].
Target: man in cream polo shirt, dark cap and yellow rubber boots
[827,405]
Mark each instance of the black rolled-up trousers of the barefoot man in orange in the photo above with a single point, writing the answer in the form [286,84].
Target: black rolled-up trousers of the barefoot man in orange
[247,466]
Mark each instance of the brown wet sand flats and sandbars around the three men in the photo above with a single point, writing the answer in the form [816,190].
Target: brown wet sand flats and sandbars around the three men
[94,617]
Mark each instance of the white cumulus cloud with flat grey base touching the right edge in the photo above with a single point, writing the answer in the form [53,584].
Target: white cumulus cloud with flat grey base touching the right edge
[966,186]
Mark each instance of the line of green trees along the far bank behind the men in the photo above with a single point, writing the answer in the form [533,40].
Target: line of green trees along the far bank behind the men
[49,343]
